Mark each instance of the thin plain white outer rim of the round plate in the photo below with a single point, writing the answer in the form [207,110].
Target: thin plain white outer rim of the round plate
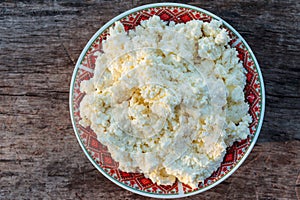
[111,22]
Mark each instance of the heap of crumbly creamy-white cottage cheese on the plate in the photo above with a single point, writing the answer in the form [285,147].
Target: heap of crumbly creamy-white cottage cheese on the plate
[167,99]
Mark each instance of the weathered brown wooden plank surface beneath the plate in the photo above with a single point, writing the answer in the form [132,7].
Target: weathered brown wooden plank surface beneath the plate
[40,42]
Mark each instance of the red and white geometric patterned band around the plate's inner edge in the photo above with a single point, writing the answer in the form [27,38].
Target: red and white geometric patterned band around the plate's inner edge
[100,153]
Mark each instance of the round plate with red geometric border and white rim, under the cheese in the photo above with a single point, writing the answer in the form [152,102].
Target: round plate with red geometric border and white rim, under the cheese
[136,182]
